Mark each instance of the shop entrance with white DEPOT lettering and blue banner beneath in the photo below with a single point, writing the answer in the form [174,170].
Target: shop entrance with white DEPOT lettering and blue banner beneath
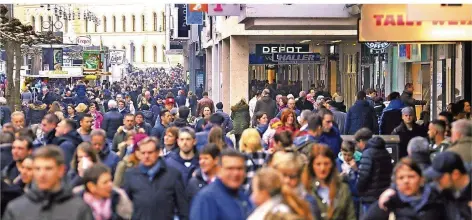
[292,67]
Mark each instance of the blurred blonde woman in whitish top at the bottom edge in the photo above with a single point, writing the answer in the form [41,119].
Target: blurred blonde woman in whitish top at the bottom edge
[274,200]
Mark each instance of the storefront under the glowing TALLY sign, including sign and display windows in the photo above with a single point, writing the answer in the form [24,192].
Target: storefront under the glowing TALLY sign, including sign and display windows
[428,54]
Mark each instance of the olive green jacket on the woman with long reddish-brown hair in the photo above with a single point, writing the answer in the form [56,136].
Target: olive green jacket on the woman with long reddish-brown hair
[344,205]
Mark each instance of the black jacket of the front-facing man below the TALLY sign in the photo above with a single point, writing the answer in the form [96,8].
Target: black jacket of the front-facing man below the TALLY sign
[406,135]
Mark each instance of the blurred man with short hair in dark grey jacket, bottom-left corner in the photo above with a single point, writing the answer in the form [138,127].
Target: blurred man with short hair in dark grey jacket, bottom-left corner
[49,198]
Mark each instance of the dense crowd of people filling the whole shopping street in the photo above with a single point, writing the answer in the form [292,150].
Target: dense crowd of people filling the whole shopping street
[147,148]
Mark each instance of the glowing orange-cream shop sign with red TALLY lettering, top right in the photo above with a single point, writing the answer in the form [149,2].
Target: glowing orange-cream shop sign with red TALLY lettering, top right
[389,23]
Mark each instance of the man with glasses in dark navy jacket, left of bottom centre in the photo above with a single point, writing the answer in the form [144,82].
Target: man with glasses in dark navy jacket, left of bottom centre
[155,184]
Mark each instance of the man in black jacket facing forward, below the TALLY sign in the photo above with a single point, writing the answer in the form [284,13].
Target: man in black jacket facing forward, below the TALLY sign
[407,130]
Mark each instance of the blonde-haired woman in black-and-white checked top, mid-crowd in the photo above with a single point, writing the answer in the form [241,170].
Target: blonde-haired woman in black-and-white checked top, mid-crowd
[251,146]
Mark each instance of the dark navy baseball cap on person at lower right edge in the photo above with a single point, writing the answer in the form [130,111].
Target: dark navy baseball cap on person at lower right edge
[445,162]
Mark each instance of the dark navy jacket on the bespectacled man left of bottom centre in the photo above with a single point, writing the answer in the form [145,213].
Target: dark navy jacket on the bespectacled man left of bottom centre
[161,198]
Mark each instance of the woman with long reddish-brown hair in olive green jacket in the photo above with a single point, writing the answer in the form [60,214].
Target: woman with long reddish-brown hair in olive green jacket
[321,179]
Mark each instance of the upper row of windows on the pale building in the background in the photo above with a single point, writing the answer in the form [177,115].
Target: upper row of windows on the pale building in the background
[158,24]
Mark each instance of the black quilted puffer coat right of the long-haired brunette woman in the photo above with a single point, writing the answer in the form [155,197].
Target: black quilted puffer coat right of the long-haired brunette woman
[375,170]
